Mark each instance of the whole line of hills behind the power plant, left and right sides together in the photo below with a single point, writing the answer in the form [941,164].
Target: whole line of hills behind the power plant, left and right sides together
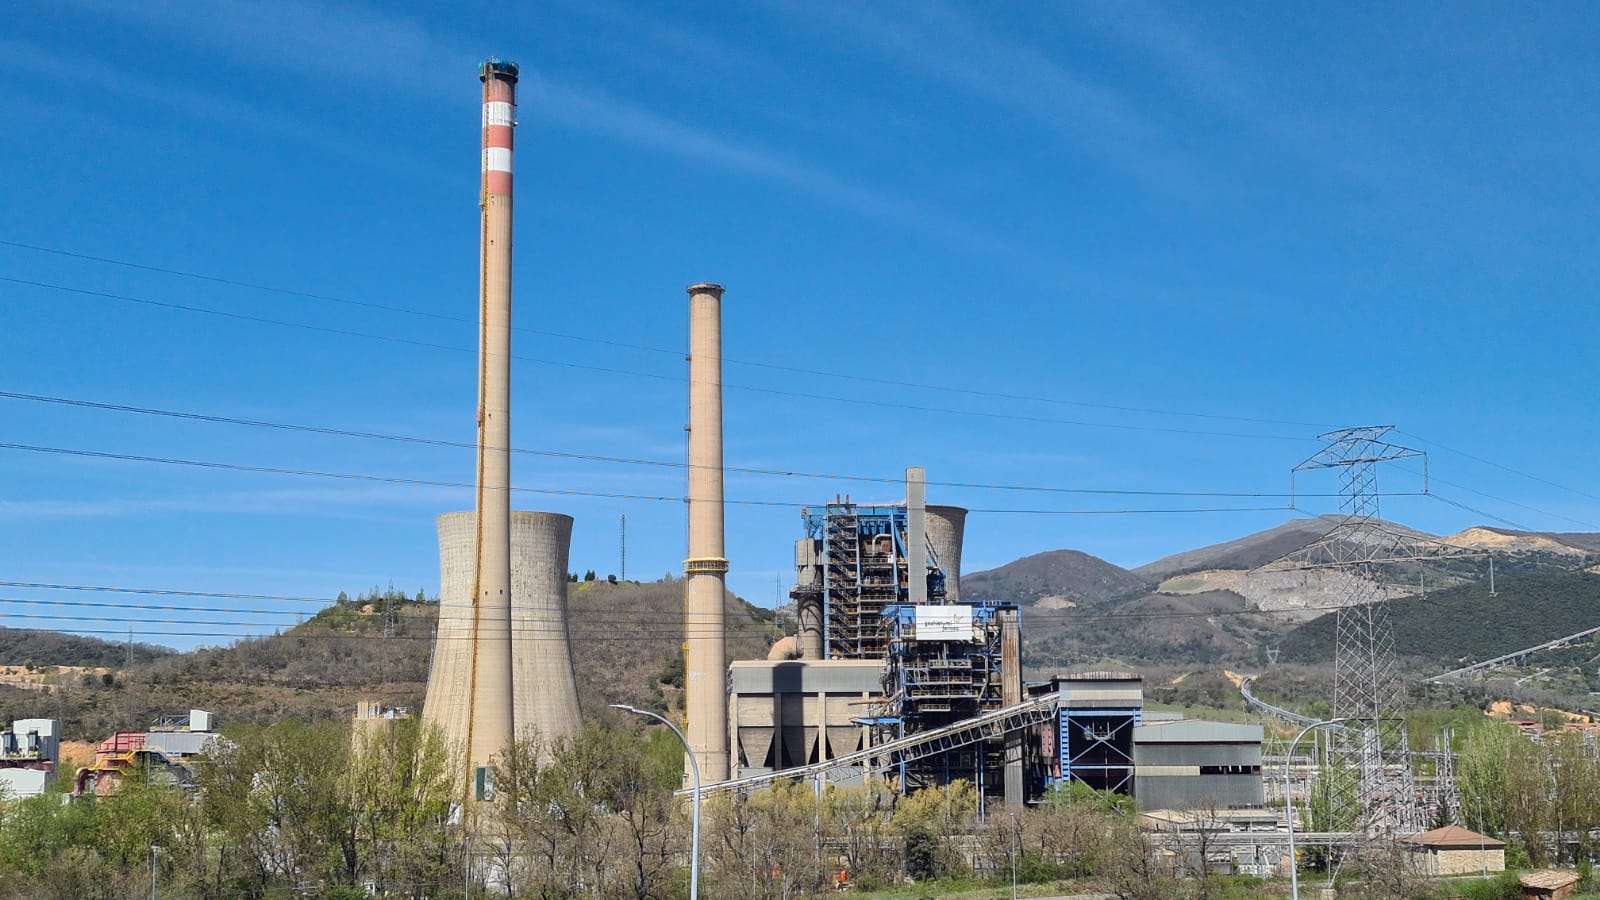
[1209,608]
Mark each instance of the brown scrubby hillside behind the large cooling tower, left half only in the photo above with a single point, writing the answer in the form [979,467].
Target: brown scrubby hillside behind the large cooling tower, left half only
[626,648]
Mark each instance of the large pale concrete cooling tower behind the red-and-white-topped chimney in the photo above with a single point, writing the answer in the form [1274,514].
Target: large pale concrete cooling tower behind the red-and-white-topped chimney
[545,689]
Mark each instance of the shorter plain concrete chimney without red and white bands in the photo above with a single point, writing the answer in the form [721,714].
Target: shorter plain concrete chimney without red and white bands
[706,569]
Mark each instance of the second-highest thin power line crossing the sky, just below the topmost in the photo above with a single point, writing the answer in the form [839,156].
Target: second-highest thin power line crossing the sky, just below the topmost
[633,374]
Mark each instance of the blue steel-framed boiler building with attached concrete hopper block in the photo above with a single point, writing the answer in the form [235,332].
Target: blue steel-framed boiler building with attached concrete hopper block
[884,653]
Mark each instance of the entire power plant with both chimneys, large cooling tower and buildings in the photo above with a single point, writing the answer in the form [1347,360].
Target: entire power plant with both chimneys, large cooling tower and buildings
[892,673]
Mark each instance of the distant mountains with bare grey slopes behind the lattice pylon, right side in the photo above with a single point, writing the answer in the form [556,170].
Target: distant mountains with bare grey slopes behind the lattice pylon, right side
[1217,606]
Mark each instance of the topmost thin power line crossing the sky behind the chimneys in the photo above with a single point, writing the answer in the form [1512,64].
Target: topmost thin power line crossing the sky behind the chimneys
[625,345]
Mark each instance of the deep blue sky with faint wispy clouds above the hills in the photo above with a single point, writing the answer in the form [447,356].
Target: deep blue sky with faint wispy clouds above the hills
[1118,246]
